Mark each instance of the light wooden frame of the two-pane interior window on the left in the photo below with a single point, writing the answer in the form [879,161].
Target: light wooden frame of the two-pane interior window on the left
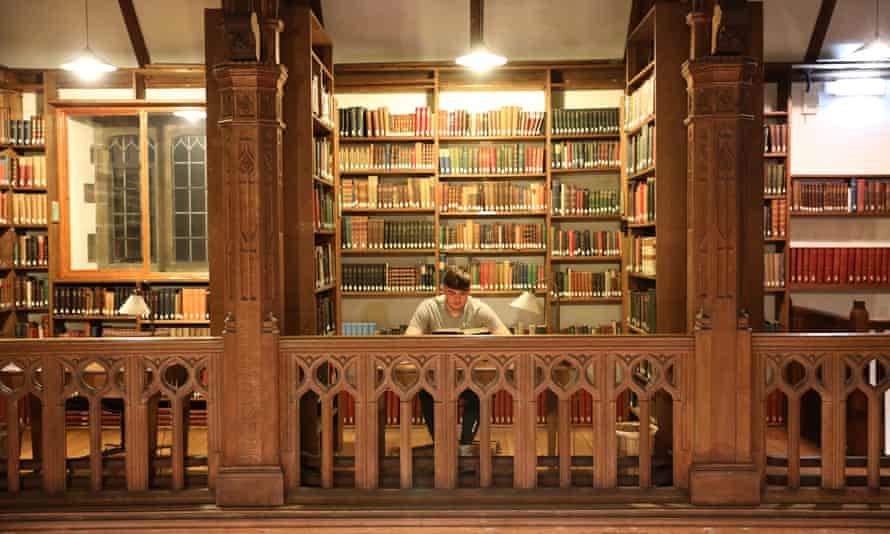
[62,260]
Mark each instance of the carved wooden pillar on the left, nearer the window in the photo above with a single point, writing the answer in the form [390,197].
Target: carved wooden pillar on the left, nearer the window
[250,143]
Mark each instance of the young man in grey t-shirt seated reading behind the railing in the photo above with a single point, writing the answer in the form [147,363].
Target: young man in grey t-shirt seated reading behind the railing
[454,309]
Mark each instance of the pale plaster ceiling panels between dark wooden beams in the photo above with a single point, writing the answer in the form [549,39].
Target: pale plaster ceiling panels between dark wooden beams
[45,33]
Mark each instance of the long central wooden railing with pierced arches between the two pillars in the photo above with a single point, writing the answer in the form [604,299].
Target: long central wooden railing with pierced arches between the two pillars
[324,377]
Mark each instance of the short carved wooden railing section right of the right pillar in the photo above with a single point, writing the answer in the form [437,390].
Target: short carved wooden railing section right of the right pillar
[834,388]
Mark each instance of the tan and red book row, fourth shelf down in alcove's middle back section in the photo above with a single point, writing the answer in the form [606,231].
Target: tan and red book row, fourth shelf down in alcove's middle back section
[473,235]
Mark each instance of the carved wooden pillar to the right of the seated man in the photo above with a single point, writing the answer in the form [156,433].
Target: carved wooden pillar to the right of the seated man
[722,142]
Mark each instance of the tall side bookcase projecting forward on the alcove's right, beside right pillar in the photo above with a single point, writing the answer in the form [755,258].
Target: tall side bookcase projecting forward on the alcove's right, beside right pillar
[657,46]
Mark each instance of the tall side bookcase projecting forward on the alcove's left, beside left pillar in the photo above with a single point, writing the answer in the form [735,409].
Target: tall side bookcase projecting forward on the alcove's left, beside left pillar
[310,114]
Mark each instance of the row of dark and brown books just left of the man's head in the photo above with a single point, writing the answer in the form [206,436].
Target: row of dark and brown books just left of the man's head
[383,277]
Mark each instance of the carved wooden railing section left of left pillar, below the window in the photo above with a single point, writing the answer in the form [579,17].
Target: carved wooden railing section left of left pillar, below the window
[148,385]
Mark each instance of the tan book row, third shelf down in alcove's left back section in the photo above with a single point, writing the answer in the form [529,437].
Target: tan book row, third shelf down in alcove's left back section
[399,193]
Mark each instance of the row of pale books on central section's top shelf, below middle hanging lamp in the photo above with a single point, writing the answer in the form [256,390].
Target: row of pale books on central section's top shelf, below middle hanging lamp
[507,120]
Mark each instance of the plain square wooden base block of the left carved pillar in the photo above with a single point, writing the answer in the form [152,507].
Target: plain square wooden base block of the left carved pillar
[255,485]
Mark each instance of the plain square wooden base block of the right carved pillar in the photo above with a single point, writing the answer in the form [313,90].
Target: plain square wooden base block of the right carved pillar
[724,485]
